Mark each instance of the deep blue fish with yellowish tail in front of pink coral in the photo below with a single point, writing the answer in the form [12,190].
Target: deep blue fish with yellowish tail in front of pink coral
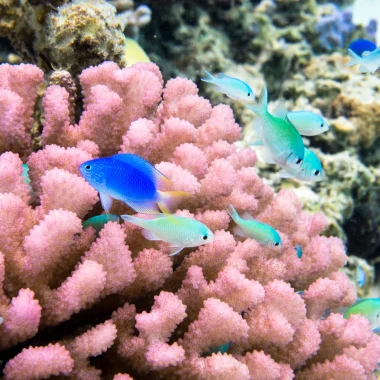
[133,180]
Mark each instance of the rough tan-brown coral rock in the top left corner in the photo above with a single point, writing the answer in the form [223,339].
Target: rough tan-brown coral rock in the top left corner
[70,35]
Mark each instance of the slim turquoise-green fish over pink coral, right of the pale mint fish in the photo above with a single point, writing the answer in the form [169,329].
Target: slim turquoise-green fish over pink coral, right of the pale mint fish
[261,232]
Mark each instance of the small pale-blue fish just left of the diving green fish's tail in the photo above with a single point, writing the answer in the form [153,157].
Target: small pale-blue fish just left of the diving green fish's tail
[234,88]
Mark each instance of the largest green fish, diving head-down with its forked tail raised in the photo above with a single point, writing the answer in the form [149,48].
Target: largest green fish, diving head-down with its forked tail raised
[279,136]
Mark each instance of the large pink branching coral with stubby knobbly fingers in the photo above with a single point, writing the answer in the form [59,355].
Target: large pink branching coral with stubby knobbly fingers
[149,315]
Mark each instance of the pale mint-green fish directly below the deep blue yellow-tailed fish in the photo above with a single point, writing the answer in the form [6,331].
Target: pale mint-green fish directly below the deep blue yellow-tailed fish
[180,232]
